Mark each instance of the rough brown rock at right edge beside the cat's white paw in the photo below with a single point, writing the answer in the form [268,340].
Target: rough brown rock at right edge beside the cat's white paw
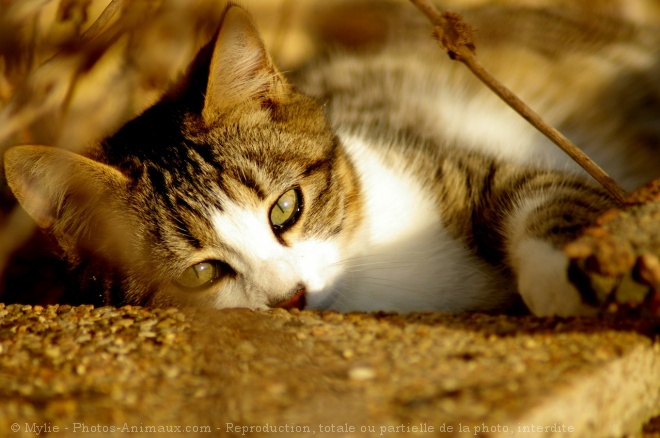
[616,262]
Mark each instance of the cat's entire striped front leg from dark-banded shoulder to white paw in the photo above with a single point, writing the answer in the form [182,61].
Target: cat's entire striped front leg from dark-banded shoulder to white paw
[519,219]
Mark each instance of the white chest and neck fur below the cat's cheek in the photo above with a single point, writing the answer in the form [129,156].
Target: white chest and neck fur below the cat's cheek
[403,259]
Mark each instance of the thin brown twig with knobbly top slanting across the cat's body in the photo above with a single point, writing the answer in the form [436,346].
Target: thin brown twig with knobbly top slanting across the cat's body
[455,36]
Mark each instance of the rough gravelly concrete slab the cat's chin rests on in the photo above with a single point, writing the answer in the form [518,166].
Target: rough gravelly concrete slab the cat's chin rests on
[77,371]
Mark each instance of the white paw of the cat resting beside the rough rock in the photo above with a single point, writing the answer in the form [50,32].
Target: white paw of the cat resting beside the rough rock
[543,281]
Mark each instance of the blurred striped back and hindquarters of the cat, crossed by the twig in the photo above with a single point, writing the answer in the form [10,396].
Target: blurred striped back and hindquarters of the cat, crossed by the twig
[590,74]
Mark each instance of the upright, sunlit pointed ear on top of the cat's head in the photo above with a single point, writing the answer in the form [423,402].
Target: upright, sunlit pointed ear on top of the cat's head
[241,70]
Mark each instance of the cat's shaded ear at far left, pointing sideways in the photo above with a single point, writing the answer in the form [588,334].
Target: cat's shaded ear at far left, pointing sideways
[77,200]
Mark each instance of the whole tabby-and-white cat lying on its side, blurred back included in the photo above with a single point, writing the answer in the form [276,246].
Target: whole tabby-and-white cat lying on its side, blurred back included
[388,179]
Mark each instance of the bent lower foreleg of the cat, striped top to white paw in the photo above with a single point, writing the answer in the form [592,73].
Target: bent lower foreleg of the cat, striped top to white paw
[548,215]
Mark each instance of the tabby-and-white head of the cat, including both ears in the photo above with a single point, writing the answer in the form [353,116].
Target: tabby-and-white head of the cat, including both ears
[230,192]
